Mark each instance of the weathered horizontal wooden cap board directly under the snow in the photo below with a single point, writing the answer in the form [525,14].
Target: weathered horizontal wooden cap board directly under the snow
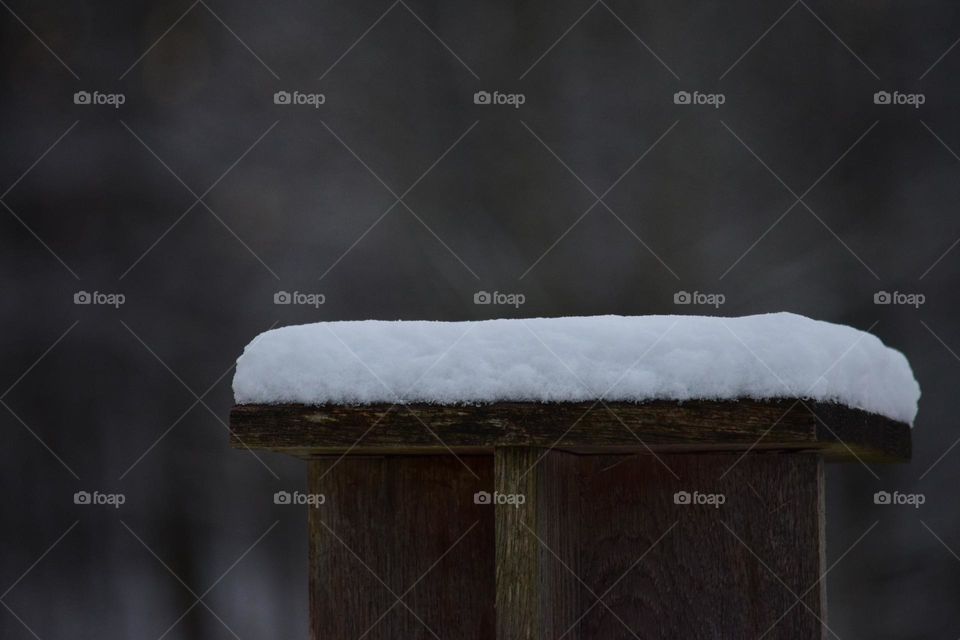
[835,431]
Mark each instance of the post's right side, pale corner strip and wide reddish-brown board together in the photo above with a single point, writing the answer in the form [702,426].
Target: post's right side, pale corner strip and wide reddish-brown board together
[625,560]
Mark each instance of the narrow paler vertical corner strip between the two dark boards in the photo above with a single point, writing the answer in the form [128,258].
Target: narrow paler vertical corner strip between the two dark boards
[538,544]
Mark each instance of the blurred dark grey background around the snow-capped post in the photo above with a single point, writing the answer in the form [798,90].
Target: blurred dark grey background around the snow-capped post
[91,390]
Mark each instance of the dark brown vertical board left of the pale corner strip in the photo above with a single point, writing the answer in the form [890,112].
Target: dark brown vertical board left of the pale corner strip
[398,519]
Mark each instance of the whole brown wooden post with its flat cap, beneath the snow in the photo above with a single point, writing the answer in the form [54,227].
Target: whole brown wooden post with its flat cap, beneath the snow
[526,521]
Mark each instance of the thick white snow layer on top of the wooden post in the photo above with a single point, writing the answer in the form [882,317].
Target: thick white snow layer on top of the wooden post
[575,359]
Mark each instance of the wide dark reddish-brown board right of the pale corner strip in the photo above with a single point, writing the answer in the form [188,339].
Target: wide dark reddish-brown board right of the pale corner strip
[704,577]
